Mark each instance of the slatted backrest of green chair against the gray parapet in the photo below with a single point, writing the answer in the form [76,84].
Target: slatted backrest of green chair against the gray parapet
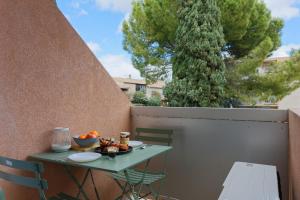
[161,136]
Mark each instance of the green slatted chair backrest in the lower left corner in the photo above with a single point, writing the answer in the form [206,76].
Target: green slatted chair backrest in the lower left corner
[37,168]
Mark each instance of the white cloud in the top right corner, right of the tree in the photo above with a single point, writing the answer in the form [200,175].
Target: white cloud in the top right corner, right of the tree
[285,9]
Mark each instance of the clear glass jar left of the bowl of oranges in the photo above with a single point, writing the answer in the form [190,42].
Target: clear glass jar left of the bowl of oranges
[61,140]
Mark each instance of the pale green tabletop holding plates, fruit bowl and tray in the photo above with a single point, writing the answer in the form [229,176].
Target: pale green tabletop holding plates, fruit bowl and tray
[117,164]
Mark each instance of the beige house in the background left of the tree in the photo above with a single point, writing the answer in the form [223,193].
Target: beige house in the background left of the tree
[130,86]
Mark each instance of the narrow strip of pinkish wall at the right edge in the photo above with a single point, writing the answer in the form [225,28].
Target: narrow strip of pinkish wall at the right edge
[294,153]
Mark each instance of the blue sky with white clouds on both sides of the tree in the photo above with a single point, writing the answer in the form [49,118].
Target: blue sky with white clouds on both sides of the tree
[98,22]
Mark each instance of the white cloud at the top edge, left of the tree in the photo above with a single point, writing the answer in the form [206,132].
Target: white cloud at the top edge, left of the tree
[114,5]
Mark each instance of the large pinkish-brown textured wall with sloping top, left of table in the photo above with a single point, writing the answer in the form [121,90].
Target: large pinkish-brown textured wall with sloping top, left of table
[49,78]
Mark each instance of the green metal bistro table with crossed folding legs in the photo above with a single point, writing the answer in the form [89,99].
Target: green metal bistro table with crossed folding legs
[119,163]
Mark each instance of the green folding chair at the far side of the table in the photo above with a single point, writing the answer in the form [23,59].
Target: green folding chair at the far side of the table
[140,178]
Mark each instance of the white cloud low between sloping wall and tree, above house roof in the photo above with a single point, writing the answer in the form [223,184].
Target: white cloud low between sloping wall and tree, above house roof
[119,66]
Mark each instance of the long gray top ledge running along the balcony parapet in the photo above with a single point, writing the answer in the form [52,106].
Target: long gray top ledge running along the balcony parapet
[238,114]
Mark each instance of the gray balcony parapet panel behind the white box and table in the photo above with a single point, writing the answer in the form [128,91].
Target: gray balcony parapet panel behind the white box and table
[205,149]
